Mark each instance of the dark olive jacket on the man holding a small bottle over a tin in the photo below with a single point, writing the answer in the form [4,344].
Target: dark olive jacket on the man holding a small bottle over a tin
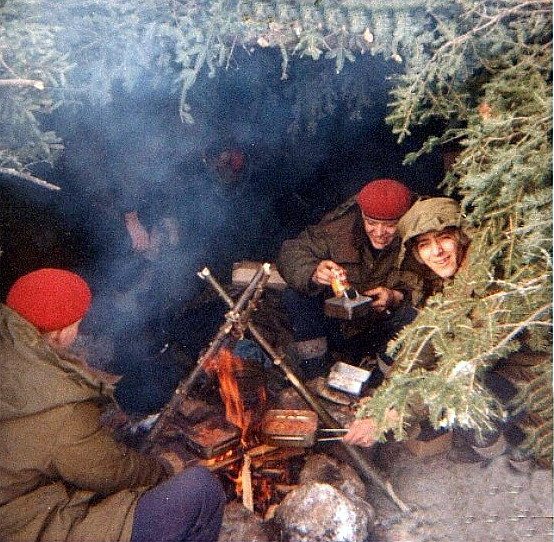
[340,237]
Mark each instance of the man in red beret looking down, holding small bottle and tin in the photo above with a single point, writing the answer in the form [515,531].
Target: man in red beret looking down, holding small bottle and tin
[356,241]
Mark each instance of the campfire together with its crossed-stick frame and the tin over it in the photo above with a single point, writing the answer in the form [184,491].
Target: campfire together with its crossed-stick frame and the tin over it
[259,452]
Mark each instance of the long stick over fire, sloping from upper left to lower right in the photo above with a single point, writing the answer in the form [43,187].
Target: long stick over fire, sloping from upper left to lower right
[365,468]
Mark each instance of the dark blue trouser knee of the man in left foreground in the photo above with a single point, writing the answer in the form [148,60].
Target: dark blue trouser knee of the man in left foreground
[188,507]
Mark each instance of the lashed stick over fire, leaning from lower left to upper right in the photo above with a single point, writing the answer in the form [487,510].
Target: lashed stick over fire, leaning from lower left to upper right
[235,322]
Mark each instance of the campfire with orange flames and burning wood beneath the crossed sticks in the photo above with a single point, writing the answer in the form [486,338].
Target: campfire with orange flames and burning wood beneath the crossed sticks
[228,437]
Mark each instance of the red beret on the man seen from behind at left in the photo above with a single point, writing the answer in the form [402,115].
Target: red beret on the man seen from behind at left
[50,299]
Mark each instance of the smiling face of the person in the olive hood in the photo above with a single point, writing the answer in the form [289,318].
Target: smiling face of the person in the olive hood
[441,251]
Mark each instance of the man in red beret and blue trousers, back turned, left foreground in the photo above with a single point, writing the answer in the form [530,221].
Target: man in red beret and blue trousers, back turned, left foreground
[63,477]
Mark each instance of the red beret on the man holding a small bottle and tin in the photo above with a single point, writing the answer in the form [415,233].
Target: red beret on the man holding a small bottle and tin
[384,199]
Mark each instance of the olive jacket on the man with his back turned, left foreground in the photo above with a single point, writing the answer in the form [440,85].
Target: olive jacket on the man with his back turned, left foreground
[62,476]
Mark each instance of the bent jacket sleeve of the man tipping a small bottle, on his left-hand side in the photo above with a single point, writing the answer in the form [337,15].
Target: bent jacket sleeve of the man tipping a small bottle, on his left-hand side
[299,257]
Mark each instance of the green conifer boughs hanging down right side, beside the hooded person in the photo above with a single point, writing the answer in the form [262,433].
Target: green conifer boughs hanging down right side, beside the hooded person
[489,79]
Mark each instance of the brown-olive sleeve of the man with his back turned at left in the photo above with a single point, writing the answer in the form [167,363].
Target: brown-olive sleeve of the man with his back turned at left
[87,456]
